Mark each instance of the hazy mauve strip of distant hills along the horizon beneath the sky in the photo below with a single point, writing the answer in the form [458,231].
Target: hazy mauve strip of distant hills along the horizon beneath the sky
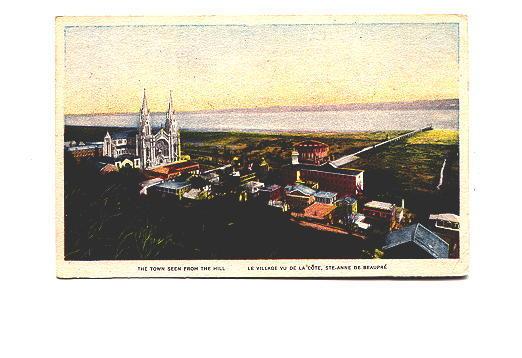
[442,104]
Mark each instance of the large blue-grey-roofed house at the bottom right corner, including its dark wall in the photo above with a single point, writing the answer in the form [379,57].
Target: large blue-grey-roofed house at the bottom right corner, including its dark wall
[415,242]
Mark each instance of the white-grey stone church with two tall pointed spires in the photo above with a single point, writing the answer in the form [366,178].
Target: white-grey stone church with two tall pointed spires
[152,149]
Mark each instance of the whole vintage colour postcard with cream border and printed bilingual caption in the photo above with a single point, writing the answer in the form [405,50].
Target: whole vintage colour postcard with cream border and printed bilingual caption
[262,146]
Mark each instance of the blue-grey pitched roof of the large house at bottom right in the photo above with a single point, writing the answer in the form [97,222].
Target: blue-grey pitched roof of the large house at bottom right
[420,236]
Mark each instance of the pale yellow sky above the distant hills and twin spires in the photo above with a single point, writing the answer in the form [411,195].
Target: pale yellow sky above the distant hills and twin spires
[245,66]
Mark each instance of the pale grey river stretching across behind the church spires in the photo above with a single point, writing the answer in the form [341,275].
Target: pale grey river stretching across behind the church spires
[325,121]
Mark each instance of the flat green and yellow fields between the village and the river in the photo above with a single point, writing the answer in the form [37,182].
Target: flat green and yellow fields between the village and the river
[409,169]
